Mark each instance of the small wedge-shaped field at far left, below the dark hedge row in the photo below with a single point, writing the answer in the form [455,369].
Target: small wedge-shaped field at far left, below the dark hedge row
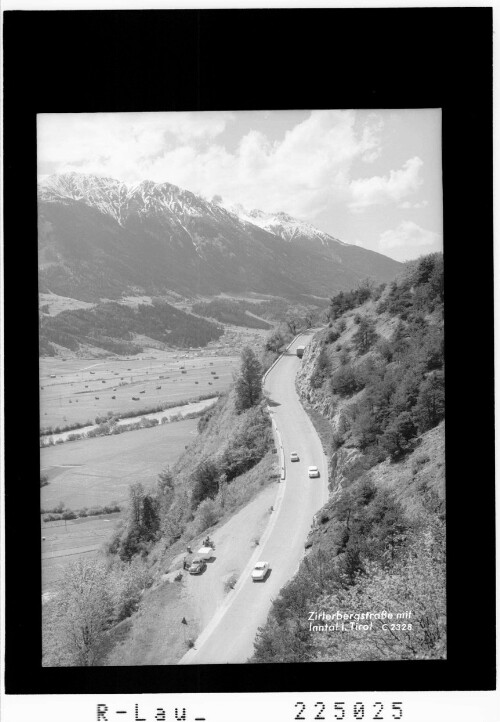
[67,542]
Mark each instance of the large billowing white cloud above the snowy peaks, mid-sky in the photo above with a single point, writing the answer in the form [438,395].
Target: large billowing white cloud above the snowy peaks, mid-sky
[301,174]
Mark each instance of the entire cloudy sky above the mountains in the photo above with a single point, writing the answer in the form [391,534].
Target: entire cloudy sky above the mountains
[372,178]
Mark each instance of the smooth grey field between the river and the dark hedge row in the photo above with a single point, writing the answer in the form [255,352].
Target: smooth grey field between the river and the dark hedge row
[94,472]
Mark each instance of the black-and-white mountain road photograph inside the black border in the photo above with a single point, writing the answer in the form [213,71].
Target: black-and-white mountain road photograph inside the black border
[241,387]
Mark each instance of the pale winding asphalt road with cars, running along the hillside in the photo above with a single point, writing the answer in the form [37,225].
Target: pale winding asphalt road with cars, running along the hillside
[229,636]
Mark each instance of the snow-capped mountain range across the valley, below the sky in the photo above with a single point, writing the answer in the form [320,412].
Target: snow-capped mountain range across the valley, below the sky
[102,239]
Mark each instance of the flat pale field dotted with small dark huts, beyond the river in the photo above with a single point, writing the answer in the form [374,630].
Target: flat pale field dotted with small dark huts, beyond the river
[77,390]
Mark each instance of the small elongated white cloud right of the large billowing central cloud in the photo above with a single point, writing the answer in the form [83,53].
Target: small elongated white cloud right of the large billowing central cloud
[378,190]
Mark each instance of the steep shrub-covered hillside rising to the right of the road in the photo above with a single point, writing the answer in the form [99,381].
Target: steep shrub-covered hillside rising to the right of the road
[376,374]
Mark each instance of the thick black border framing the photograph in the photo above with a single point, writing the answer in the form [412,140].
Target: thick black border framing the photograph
[83,61]
